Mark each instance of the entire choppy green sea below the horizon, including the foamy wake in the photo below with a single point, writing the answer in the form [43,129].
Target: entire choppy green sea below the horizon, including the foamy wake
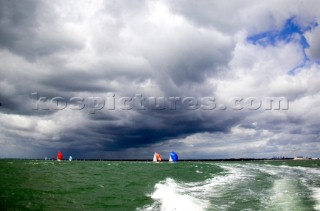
[113,185]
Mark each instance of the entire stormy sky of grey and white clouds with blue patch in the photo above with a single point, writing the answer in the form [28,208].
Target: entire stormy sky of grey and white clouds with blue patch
[123,79]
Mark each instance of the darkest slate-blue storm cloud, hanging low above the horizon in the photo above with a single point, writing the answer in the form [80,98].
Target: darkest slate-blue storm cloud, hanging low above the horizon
[141,131]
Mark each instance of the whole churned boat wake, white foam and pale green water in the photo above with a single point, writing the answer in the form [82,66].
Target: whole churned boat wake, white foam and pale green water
[244,187]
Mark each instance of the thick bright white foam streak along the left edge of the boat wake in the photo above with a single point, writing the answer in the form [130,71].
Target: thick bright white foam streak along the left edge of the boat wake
[172,195]
